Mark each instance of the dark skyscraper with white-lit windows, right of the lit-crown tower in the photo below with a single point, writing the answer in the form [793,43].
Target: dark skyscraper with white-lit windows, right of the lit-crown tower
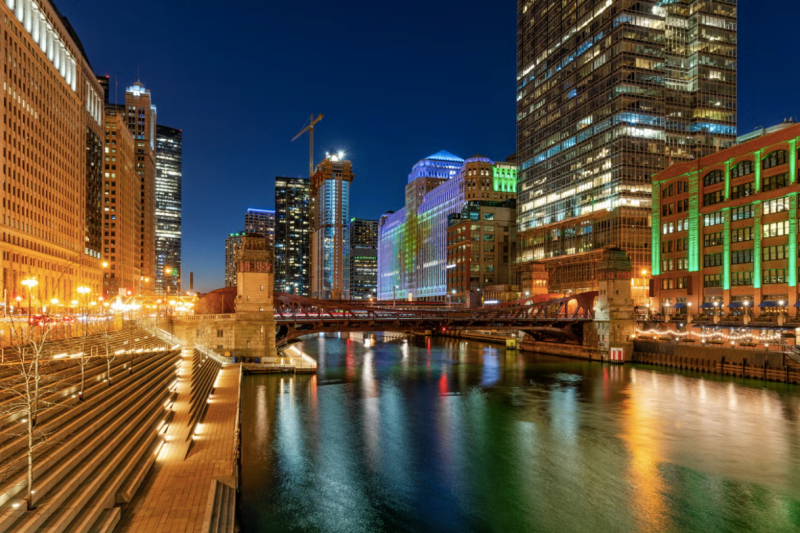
[169,174]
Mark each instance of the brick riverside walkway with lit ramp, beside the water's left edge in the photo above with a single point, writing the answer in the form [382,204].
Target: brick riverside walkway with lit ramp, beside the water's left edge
[174,496]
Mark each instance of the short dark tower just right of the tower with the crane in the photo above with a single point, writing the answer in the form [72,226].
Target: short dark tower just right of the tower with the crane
[363,259]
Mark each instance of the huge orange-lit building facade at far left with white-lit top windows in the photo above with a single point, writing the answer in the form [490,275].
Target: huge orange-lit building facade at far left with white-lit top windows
[51,212]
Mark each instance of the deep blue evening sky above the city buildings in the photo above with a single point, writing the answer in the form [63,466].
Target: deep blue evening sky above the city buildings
[396,81]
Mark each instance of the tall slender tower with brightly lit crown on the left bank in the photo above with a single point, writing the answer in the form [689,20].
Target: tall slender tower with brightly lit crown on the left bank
[141,115]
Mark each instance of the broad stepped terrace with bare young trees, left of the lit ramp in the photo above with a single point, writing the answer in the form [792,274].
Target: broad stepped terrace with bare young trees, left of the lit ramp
[97,451]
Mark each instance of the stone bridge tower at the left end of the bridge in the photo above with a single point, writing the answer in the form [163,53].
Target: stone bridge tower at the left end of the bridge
[255,317]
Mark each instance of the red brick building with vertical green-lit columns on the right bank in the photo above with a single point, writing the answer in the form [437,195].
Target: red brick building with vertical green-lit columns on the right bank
[725,227]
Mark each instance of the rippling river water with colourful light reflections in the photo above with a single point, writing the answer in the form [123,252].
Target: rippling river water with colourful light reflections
[445,435]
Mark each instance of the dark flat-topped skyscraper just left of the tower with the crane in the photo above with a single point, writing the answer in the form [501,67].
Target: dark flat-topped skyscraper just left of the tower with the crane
[292,219]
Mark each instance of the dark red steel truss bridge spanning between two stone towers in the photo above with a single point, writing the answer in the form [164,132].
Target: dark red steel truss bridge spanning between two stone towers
[559,319]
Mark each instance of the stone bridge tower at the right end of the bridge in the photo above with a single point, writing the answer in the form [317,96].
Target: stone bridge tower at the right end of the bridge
[614,325]
